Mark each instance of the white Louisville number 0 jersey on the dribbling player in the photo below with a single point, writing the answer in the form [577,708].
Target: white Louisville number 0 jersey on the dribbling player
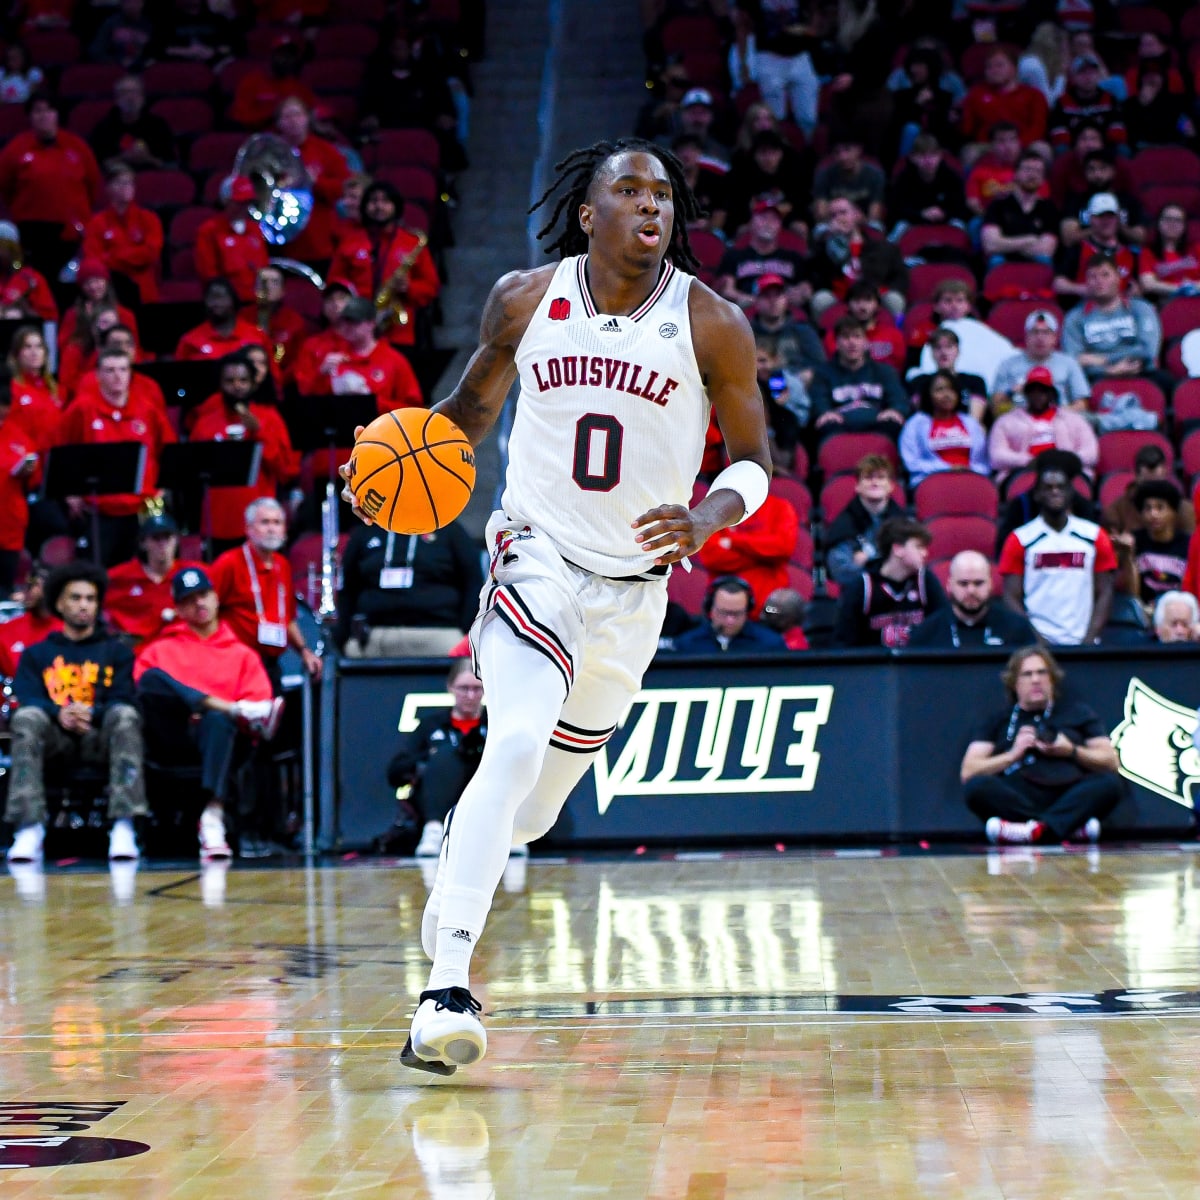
[611,419]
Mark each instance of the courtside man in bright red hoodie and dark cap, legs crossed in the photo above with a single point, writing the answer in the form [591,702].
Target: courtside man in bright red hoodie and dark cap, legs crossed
[201,689]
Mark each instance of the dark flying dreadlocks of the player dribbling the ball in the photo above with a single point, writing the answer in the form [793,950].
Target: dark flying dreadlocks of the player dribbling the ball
[575,176]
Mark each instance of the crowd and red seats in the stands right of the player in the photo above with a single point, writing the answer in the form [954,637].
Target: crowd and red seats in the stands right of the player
[968,238]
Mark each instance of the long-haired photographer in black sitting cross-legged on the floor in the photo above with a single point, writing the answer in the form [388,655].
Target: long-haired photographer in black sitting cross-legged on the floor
[1045,770]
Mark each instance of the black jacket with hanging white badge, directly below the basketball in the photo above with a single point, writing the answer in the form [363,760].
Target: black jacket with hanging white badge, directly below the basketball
[448,577]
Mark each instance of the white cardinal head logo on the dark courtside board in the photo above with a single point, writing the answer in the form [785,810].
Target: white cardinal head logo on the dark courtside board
[1155,746]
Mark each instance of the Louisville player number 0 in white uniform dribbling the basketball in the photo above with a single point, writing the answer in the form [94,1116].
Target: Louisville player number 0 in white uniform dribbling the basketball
[620,356]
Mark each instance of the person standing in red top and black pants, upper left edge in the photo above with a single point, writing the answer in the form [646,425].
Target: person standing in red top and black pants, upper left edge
[50,177]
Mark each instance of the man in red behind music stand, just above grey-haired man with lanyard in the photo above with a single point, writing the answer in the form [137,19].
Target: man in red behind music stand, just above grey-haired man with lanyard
[231,417]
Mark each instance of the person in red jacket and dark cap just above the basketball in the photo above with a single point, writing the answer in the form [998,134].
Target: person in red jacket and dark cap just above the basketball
[356,363]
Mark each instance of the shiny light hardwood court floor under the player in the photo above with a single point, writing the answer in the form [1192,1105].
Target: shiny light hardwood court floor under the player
[661,1029]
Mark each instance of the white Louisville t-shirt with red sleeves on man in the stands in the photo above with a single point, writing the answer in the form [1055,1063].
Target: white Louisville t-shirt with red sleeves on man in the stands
[1059,567]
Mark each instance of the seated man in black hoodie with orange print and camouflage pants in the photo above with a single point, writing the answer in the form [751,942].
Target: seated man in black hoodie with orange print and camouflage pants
[77,704]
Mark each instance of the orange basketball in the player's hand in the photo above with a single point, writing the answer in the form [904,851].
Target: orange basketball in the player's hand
[412,471]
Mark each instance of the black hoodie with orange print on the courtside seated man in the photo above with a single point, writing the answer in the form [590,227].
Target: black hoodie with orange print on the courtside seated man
[98,671]
